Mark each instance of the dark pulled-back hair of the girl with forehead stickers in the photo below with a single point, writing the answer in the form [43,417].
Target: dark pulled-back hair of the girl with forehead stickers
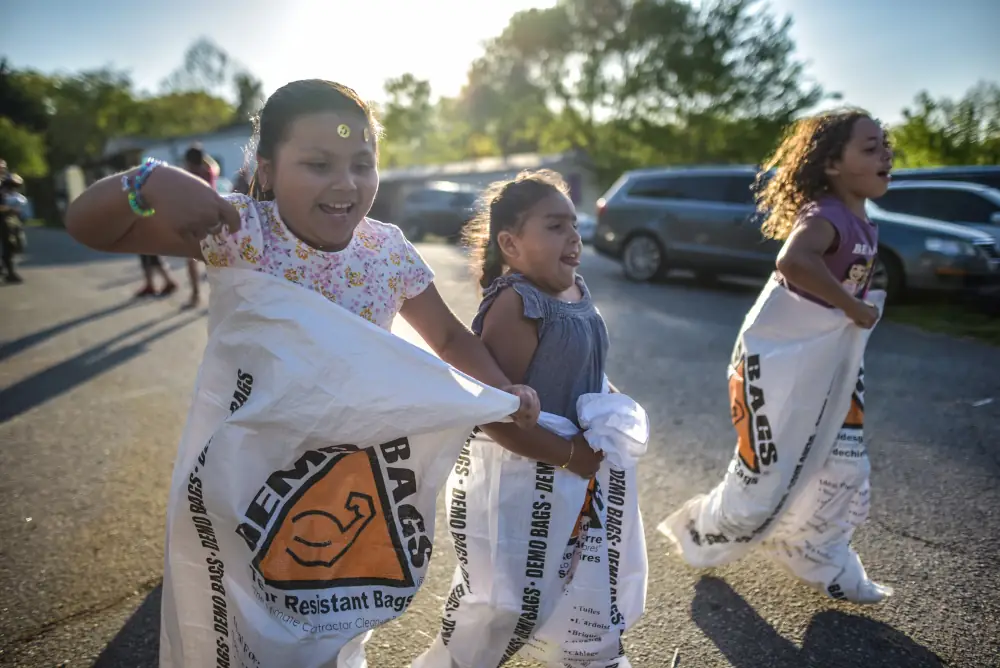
[296,99]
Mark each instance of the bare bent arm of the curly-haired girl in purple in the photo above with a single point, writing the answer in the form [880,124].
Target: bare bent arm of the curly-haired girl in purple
[801,262]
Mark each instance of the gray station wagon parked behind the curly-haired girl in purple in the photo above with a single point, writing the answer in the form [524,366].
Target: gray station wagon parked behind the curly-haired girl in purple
[704,219]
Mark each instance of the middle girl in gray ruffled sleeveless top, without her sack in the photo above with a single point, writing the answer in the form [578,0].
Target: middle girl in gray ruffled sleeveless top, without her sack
[537,317]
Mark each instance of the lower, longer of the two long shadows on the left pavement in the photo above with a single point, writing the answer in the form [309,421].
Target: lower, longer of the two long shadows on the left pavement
[50,383]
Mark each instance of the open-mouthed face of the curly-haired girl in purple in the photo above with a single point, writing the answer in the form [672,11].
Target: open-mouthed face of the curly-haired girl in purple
[863,169]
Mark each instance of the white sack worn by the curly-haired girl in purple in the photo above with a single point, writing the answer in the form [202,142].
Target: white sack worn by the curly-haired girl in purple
[798,480]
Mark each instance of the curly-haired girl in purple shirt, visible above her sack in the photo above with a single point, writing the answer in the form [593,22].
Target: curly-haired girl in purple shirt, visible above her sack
[827,168]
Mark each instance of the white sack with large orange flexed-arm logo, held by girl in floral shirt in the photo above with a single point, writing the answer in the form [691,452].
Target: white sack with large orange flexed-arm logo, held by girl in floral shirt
[302,506]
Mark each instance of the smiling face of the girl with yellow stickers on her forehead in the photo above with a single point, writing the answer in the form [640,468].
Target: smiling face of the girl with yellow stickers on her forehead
[324,176]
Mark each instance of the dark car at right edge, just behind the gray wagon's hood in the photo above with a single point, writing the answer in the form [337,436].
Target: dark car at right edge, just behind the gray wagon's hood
[957,202]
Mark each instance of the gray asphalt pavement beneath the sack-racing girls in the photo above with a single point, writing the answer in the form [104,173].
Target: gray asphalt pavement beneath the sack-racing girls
[94,388]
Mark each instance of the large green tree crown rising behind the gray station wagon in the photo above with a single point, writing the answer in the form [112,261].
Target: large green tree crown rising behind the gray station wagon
[639,81]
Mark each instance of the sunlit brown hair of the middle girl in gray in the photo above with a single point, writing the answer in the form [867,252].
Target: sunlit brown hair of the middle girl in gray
[502,207]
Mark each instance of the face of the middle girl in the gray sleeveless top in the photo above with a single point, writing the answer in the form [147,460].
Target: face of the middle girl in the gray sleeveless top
[546,246]
